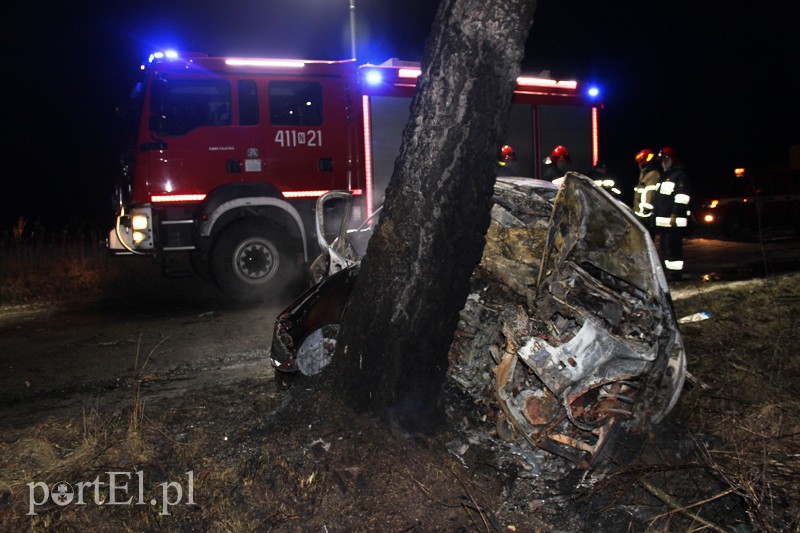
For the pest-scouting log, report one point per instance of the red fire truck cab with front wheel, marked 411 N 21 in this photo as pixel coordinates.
(228, 157)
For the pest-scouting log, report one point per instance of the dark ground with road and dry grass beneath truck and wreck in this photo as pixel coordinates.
(172, 380)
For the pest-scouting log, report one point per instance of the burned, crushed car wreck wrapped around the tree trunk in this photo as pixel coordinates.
(569, 330)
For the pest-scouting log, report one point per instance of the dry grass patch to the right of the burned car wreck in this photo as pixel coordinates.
(746, 404)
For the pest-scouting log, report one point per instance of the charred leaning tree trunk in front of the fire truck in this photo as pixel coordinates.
(391, 358)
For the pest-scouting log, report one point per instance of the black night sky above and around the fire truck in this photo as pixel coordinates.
(721, 85)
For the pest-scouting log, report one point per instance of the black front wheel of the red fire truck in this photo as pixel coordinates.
(250, 261)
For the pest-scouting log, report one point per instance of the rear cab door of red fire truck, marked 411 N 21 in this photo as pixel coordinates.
(307, 141)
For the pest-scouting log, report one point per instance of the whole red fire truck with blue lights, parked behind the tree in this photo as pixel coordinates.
(228, 155)
